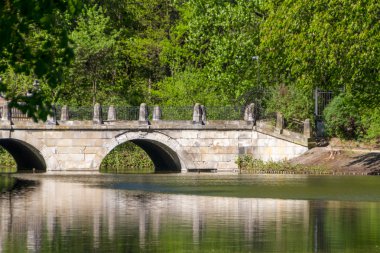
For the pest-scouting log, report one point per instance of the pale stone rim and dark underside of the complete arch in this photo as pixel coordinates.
(165, 152)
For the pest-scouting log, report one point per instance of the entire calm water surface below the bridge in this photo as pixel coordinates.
(189, 213)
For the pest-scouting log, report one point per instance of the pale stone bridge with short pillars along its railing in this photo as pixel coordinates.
(199, 144)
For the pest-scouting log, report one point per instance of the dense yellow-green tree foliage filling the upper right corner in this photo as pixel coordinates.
(326, 43)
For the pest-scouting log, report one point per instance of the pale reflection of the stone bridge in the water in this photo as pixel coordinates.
(51, 208)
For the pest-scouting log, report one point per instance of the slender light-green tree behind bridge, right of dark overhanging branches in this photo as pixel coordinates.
(94, 43)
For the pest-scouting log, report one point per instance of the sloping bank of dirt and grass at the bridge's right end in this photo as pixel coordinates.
(336, 157)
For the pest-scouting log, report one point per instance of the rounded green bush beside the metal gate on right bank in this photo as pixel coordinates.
(342, 117)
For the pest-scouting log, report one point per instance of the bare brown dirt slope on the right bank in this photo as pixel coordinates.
(343, 160)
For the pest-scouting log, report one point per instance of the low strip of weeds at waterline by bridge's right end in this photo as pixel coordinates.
(248, 164)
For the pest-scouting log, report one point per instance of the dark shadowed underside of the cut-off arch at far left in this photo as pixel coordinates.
(26, 156)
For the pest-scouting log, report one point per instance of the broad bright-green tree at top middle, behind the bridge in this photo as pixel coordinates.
(216, 41)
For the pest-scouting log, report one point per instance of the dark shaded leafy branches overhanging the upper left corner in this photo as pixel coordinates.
(34, 43)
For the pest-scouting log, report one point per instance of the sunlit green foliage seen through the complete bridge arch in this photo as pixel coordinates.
(127, 158)
